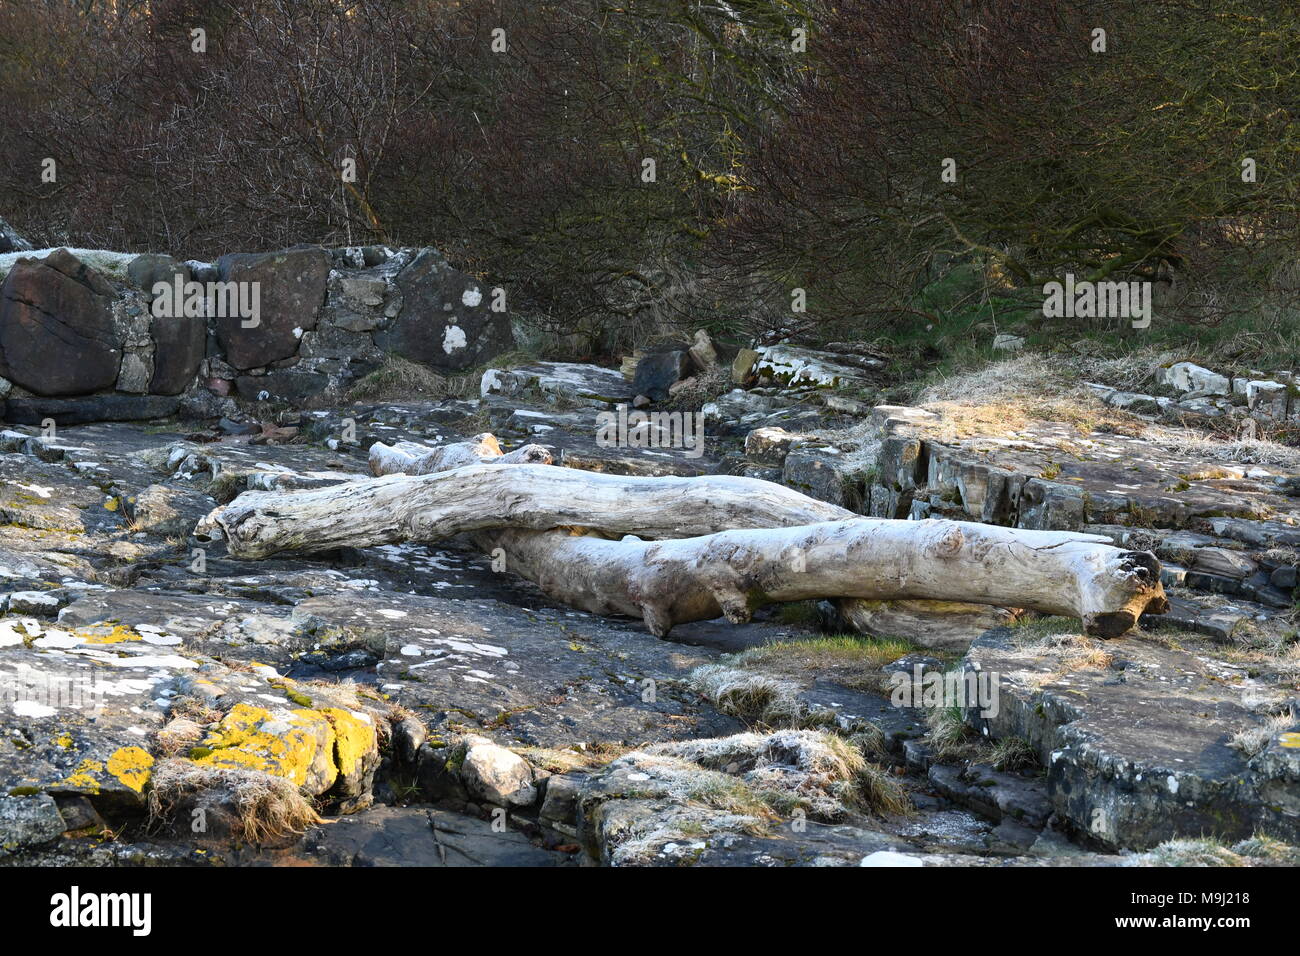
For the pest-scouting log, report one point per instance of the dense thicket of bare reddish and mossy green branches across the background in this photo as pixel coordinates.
(775, 167)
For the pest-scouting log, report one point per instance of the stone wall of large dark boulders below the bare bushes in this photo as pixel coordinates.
(80, 339)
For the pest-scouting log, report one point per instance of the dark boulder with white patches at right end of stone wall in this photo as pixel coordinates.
(447, 321)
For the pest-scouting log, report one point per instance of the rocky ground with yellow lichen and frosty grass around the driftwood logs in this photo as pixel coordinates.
(409, 704)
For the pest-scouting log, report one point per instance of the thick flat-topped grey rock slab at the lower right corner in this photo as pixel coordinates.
(1139, 751)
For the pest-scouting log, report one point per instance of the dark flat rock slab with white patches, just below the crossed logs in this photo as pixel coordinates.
(544, 678)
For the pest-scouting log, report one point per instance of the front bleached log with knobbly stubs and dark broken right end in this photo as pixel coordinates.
(734, 573)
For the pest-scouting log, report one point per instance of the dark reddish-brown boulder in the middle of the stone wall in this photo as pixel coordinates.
(292, 287)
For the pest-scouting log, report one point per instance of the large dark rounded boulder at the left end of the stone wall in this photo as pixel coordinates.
(57, 328)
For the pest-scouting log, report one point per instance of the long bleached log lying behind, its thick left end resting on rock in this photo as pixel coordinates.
(428, 508)
